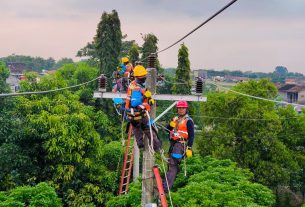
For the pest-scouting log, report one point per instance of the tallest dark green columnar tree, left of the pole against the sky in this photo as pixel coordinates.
(108, 42)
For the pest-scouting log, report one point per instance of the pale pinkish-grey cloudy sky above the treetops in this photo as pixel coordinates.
(251, 35)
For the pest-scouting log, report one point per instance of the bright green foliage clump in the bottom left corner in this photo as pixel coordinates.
(40, 195)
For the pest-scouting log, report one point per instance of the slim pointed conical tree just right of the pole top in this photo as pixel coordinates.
(183, 72)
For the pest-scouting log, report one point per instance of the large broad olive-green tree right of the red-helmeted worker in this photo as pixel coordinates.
(255, 134)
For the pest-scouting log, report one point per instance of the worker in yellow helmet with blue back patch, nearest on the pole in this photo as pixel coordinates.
(138, 103)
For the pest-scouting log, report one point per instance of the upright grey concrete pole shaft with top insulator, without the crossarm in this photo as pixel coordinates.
(148, 158)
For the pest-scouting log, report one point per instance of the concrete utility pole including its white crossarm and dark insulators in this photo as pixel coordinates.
(148, 158)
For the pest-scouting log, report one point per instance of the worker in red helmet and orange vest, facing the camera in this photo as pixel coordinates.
(181, 133)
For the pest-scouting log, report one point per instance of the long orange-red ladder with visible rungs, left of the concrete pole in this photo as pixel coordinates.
(127, 164)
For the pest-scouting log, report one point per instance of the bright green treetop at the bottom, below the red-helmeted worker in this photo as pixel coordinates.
(213, 182)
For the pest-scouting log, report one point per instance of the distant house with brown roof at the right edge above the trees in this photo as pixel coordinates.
(293, 93)
